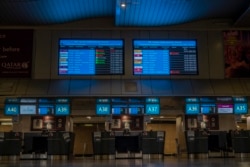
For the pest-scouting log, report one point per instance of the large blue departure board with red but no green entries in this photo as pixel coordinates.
(165, 57)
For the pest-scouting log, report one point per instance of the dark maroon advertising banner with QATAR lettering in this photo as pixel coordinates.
(16, 53)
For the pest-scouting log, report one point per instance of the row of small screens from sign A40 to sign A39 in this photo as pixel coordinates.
(37, 109)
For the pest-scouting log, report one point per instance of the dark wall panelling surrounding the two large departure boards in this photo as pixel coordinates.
(210, 53)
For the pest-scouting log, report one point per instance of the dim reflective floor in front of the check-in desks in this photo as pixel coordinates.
(166, 161)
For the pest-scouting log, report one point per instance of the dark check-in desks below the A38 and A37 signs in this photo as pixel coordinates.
(132, 144)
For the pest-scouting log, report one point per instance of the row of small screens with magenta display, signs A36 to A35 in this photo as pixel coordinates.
(212, 108)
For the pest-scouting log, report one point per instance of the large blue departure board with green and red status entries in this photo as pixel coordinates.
(91, 57)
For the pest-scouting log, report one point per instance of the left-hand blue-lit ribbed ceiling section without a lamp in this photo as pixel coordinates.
(39, 12)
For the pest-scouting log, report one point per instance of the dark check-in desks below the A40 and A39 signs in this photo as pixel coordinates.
(36, 145)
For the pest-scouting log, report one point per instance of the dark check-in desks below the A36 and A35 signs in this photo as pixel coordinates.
(217, 143)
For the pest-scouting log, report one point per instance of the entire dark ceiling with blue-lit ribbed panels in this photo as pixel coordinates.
(146, 13)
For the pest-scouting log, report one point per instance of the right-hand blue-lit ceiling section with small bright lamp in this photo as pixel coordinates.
(169, 12)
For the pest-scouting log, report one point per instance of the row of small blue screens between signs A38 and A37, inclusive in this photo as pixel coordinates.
(147, 109)
